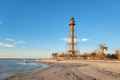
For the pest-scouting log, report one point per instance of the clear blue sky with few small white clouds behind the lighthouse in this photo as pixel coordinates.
(36, 28)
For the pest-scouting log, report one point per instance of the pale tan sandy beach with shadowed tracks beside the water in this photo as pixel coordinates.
(75, 70)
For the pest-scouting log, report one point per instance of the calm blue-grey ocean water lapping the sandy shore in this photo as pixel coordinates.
(9, 67)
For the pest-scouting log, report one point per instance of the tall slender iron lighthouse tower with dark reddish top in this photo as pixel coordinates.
(72, 41)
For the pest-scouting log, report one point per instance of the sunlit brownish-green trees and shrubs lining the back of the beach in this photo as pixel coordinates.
(99, 54)
